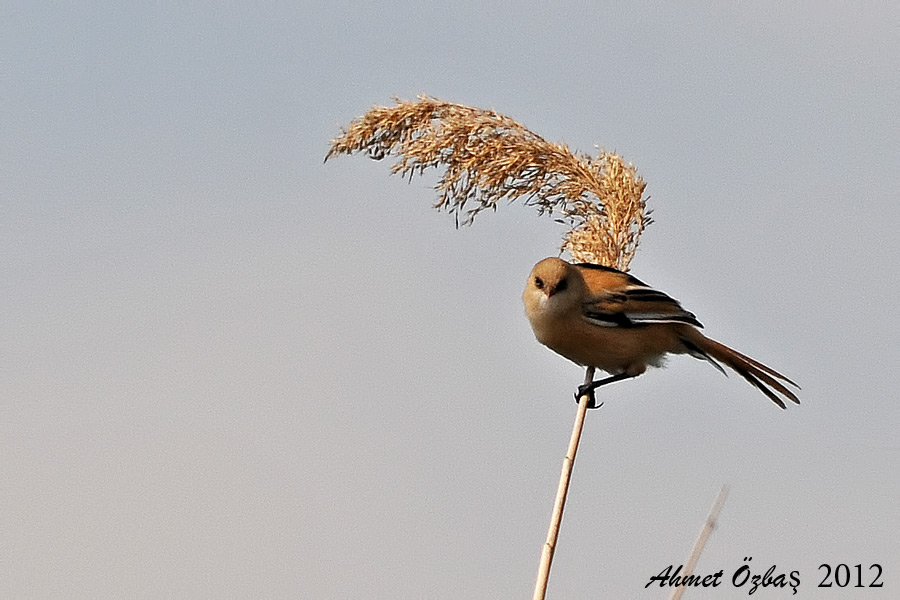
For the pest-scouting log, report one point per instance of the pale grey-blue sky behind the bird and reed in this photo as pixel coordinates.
(230, 371)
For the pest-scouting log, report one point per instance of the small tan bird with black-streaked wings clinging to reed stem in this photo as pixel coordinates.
(604, 318)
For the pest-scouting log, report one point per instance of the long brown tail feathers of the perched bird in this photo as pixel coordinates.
(759, 375)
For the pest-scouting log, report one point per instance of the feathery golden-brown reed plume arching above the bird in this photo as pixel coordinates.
(489, 157)
